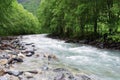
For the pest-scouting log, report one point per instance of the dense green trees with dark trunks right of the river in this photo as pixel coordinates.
(86, 19)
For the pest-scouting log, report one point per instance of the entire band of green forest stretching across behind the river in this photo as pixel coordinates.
(80, 20)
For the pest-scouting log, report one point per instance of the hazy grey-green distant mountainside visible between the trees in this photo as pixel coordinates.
(30, 5)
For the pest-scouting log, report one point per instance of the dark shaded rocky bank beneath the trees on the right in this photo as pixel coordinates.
(96, 43)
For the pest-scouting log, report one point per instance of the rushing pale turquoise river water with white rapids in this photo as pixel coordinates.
(101, 63)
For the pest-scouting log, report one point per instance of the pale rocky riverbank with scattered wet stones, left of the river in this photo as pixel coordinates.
(14, 53)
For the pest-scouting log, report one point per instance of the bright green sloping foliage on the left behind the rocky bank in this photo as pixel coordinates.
(14, 19)
